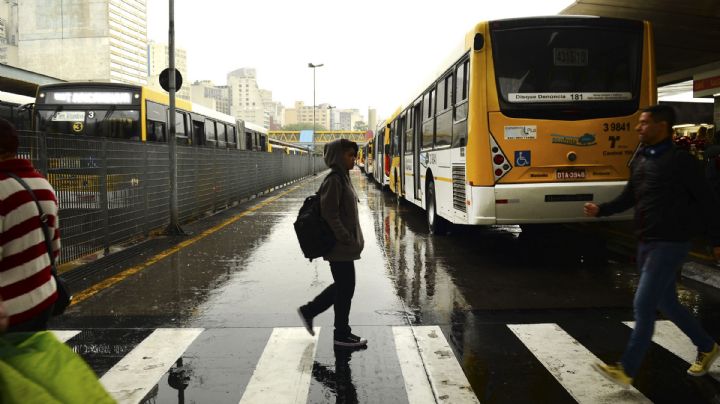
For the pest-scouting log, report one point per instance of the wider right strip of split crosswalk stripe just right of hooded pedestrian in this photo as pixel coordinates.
(447, 379)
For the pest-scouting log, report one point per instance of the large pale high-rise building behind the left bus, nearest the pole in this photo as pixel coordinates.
(96, 40)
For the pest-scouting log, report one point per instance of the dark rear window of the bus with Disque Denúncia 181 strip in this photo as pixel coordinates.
(559, 71)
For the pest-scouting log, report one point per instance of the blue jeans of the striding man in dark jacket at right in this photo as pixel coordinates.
(659, 262)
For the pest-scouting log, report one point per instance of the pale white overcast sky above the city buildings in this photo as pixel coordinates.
(376, 53)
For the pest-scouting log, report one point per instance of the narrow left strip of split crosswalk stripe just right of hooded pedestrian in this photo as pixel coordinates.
(417, 384)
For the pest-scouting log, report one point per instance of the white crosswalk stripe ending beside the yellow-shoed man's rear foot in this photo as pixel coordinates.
(571, 365)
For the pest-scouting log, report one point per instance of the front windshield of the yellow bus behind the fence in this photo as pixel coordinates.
(101, 121)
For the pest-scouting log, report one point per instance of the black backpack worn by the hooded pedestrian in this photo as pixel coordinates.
(314, 234)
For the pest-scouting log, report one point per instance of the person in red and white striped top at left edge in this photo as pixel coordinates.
(27, 287)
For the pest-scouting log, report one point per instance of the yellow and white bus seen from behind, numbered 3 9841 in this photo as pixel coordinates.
(529, 119)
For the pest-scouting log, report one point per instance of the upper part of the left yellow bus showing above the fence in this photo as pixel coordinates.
(130, 112)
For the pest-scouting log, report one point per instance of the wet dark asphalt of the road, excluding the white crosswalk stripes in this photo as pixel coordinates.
(249, 277)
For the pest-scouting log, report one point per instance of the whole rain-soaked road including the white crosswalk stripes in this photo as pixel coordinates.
(524, 316)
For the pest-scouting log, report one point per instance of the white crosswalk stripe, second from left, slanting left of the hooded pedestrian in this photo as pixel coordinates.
(131, 379)
